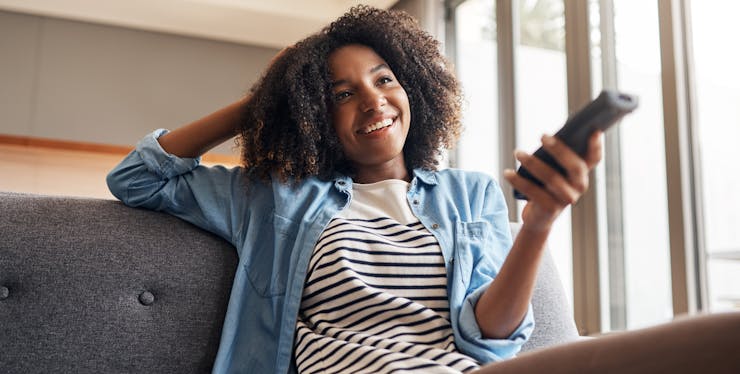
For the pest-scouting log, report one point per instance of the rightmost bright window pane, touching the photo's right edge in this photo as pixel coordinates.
(718, 124)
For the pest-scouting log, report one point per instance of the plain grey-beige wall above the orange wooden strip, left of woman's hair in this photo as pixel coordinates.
(85, 82)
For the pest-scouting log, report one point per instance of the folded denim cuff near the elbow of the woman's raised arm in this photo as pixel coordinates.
(158, 161)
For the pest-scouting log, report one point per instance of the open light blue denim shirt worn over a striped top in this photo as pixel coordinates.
(275, 226)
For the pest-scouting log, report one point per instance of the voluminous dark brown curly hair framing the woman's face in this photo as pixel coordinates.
(287, 132)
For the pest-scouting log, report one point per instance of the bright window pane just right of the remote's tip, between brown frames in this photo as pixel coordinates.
(642, 167)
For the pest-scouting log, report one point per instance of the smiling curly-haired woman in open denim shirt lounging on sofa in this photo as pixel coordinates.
(356, 254)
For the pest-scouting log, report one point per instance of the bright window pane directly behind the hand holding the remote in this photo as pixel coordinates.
(541, 101)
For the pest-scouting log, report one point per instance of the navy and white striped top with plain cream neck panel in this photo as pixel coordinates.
(375, 298)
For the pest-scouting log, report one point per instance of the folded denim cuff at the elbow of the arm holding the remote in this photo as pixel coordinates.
(499, 348)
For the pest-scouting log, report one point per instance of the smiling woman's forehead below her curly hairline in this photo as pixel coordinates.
(354, 58)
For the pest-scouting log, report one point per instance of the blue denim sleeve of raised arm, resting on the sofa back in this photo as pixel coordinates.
(151, 178)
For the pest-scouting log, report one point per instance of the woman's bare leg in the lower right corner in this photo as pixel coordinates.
(699, 344)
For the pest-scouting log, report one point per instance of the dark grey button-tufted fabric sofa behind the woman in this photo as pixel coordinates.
(93, 286)
